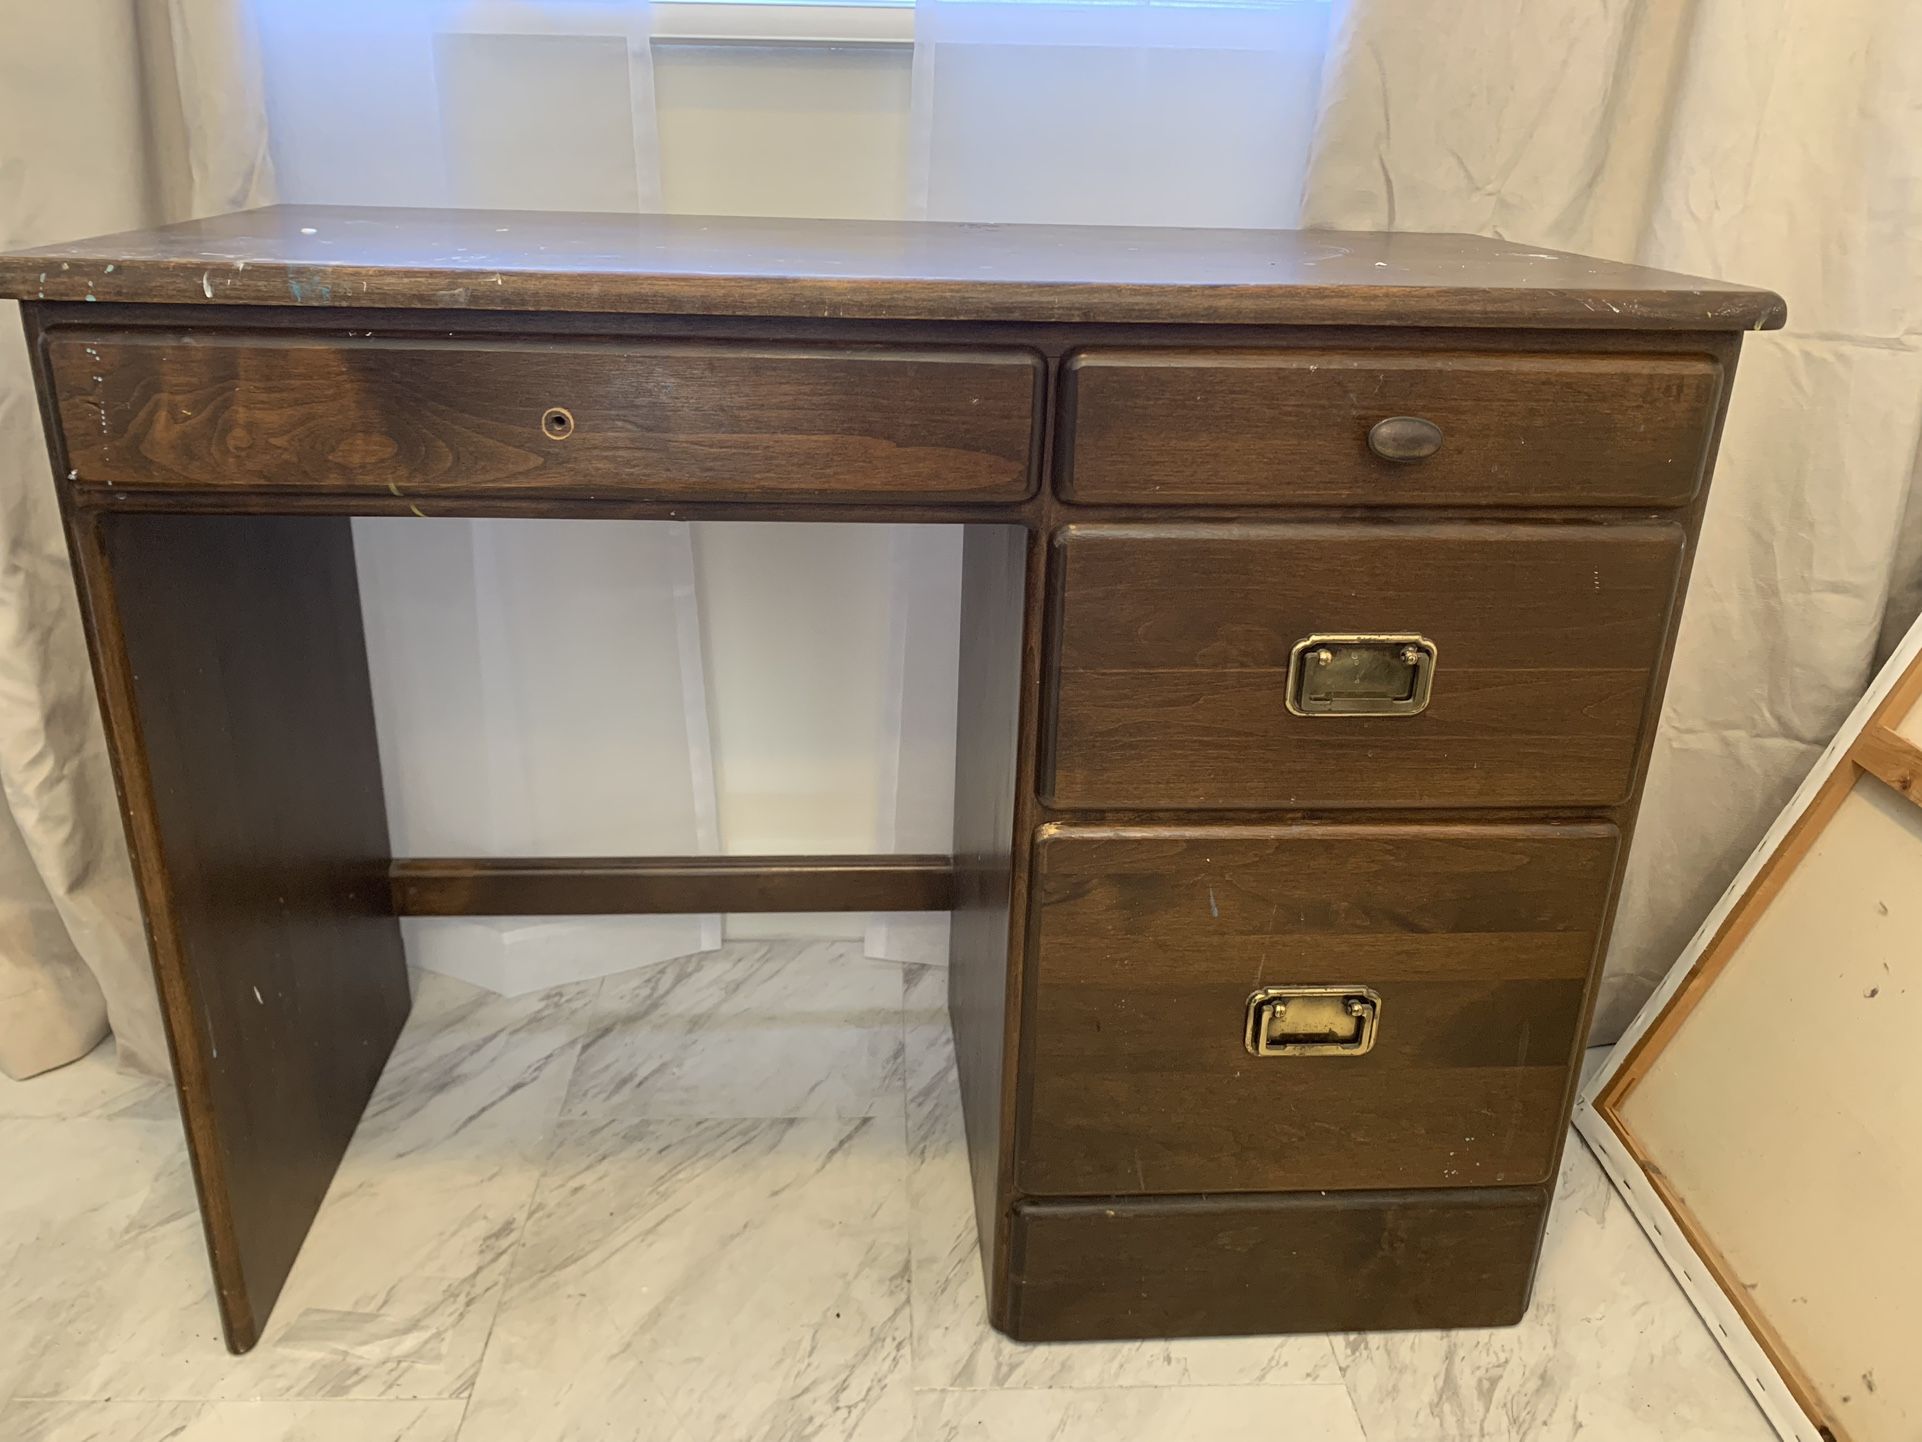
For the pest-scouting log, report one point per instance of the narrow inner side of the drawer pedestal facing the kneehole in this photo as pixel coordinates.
(995, 803)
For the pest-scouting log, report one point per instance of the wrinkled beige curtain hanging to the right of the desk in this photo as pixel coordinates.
(1763, 141)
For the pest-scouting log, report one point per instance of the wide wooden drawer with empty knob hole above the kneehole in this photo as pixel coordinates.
(566, 418)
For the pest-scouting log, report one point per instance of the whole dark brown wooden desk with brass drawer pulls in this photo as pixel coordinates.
(1318, 601)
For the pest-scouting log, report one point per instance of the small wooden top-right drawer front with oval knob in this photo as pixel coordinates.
(1293, 428)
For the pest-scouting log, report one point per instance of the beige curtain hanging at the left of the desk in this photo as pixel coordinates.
(170, 128)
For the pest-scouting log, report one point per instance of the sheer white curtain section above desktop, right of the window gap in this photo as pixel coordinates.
(1118, 112)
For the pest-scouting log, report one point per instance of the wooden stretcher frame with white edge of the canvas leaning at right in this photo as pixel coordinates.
(1867, 745)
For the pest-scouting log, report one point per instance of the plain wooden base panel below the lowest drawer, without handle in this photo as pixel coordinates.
(1273, 1264)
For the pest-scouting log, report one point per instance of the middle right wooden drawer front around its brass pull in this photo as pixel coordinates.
(1175, 649)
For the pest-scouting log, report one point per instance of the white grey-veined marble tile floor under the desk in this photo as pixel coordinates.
(718, 1201)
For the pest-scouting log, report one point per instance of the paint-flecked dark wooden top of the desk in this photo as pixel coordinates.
(870, 270)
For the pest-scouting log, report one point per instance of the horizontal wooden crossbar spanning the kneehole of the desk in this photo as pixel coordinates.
(668, 885)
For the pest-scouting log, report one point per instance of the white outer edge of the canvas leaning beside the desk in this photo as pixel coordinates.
(1658, 1222)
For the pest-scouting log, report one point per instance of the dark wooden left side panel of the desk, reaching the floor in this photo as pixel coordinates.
(234, 680)
